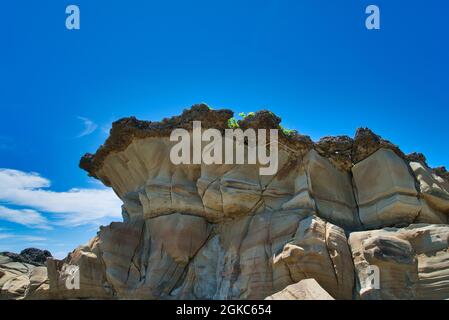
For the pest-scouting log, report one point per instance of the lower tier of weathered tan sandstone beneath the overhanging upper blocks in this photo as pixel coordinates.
(181, 256)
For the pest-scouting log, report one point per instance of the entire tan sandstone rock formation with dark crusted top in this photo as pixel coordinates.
(202, 231)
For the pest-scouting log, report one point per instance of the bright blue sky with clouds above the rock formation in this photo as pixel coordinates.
(311, 62)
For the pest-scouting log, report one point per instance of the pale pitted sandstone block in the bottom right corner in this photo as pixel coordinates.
(413, 262)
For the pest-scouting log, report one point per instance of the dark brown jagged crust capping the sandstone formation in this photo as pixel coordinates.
(342, 151)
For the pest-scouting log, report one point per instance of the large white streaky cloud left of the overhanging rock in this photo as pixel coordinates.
(70, 208)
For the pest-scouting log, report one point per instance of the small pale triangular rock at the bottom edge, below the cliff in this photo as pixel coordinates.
(307, 289)
